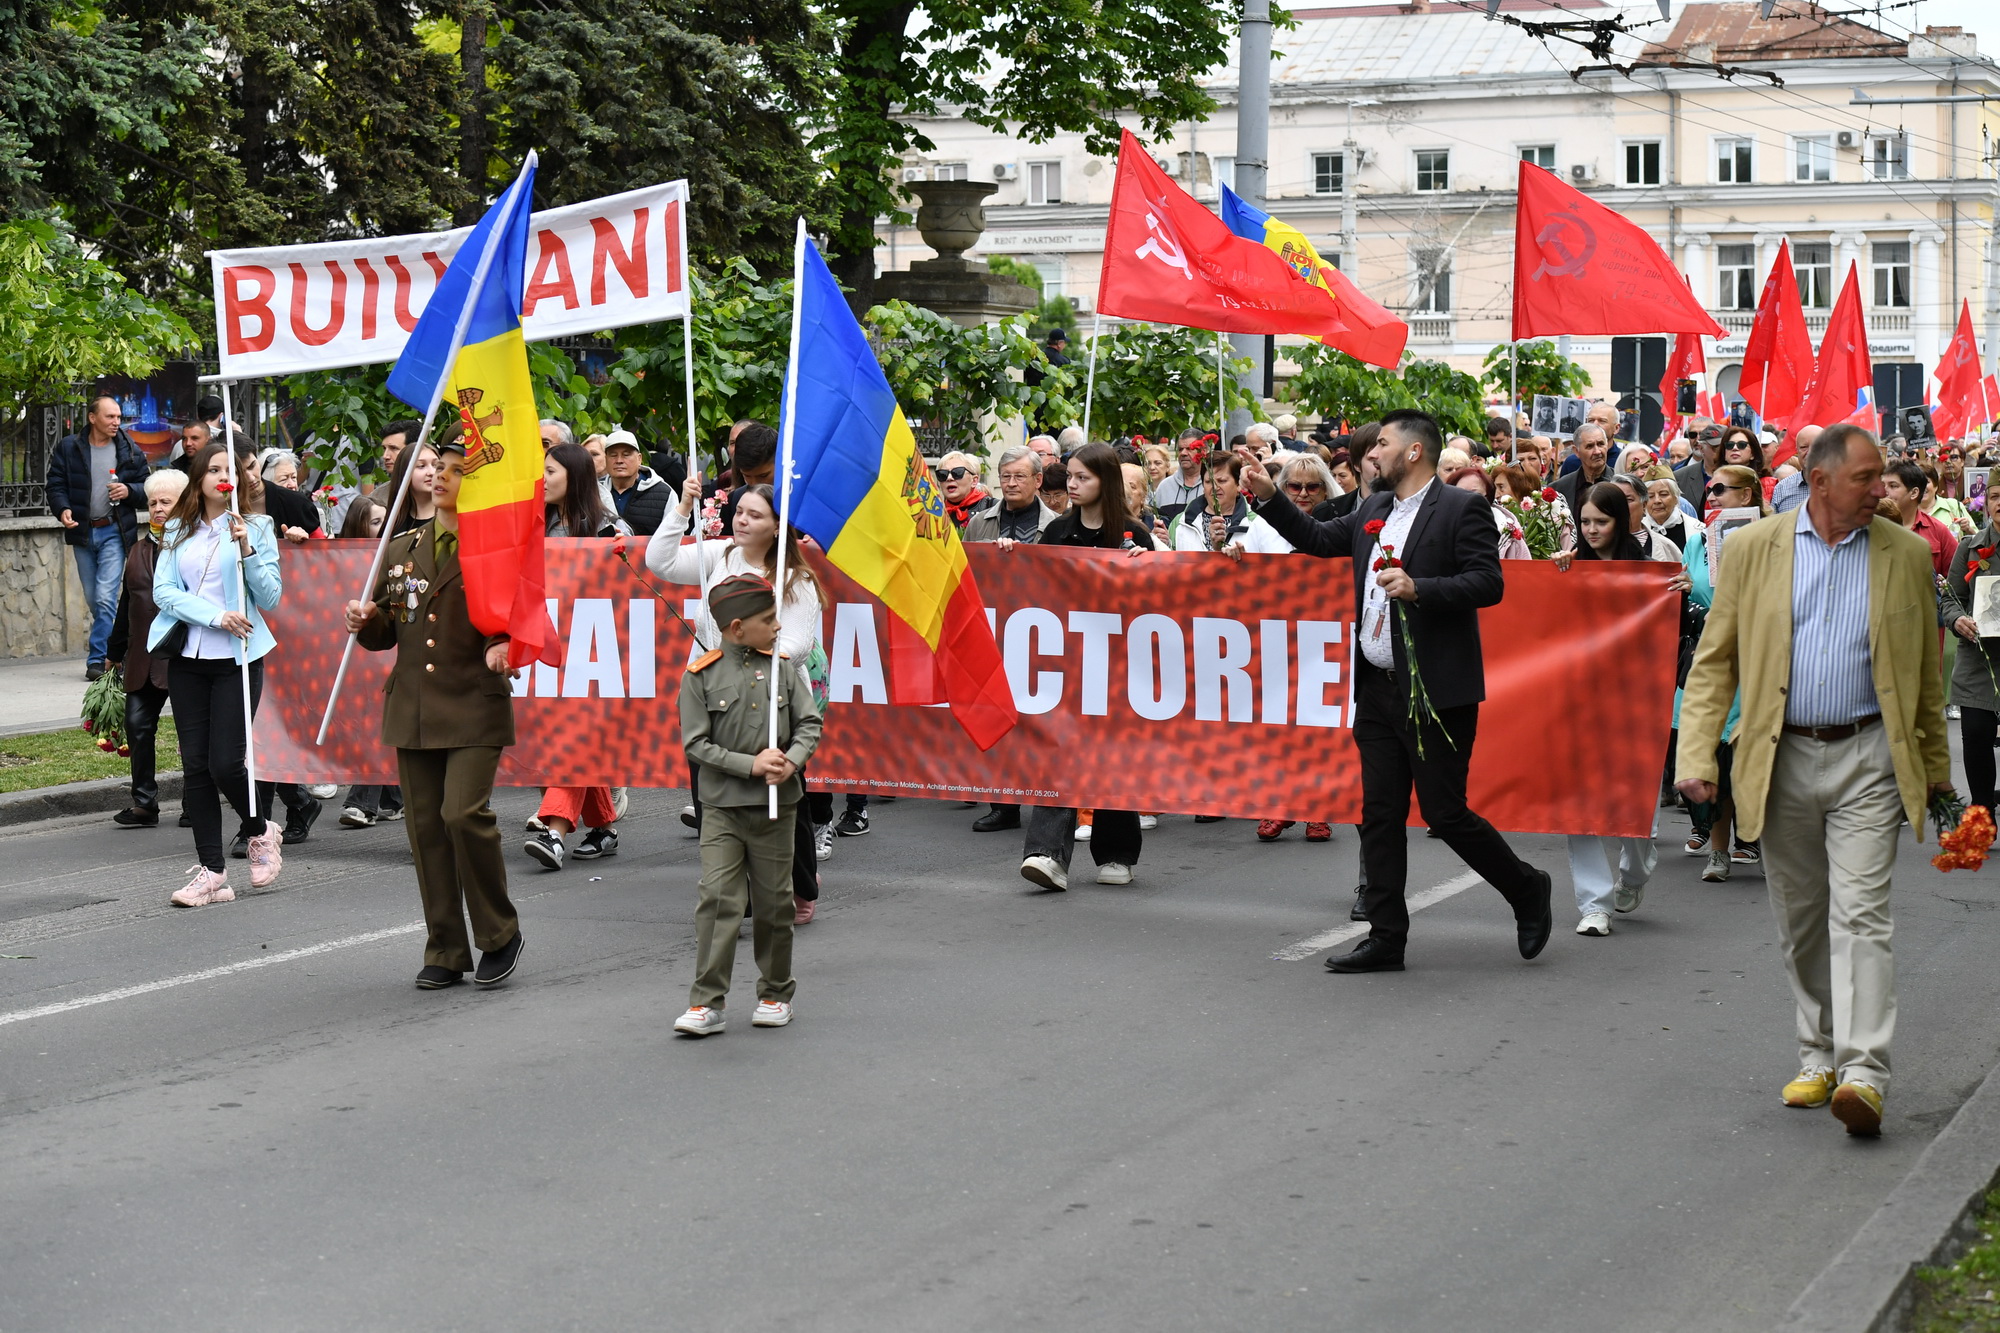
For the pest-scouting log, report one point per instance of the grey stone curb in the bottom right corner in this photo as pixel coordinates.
(1927, 1220)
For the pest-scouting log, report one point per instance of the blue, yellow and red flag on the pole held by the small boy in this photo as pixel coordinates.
(863, 491)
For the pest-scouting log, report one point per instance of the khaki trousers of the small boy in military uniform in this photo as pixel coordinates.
(747, 860)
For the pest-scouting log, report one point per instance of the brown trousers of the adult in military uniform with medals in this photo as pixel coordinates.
(447, 800)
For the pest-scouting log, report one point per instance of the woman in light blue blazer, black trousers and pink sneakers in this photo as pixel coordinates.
(205, 629)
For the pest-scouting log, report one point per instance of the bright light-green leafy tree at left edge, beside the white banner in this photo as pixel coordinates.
(67, 317)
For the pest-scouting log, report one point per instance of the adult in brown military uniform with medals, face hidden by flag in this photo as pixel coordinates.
(449, 712)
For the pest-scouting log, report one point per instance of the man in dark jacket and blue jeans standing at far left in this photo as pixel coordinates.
(95, 481)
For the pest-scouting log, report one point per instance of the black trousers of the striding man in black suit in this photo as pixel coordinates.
(1391, 768)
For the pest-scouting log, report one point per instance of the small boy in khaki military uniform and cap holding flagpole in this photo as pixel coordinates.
(725, 722)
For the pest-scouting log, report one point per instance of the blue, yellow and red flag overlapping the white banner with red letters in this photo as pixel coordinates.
(469, 347)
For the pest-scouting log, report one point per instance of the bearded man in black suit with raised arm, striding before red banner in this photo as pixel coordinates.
(1447, 569)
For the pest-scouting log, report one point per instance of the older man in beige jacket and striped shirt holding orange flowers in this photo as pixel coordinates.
(1829, 625)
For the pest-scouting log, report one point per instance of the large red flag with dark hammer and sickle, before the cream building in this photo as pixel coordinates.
(1579, 267)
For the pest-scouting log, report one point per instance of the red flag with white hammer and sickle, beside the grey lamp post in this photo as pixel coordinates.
(1171, 261)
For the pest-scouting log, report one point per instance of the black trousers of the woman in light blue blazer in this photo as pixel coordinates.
(209, 716)
